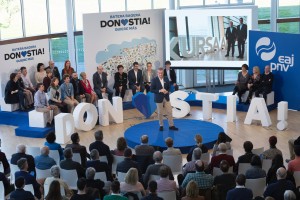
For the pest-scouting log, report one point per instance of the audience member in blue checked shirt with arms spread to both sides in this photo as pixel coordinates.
(204, 181)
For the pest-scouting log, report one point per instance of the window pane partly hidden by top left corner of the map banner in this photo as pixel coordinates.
(84, 7)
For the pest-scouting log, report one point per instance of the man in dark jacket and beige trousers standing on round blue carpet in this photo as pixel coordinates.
(160, 86)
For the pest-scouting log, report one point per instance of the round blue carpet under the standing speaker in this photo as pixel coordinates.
(183, 139)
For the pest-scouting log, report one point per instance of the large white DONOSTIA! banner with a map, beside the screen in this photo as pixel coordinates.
(115, 38)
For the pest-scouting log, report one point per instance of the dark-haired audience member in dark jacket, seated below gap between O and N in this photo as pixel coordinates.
(102, 148)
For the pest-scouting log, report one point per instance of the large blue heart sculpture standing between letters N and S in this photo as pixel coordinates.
(144, 103)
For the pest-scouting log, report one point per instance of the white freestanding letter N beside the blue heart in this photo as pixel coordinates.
(110, 112)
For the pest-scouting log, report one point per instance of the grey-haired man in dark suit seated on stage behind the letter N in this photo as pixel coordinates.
(100, 84)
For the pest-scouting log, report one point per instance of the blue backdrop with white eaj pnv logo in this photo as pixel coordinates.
(282, 52)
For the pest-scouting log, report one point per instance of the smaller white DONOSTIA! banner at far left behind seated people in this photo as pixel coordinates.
(28, 54)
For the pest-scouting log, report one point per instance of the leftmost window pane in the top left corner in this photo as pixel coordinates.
(10, 20)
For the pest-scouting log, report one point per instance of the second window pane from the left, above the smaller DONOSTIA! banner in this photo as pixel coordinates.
(35, 14)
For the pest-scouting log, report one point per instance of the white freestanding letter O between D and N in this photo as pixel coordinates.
(91, 118)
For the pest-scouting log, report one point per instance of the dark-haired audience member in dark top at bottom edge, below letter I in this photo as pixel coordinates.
(240, 192)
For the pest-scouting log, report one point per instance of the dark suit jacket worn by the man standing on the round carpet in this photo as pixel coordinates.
(156, 86)
